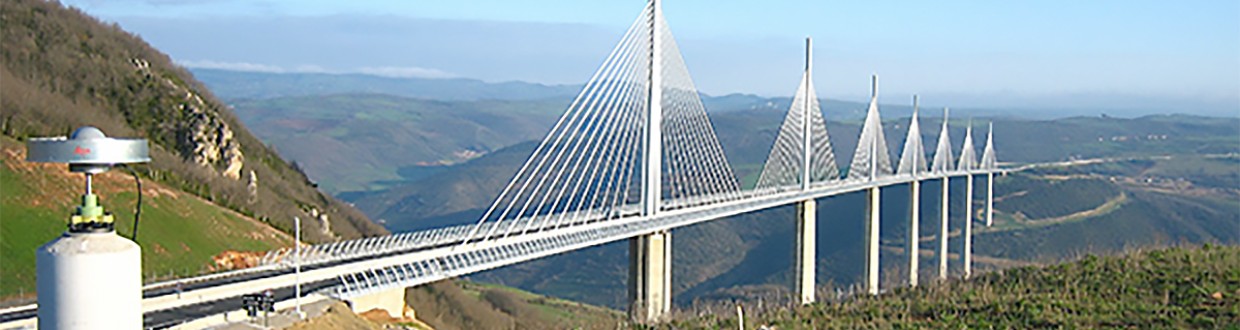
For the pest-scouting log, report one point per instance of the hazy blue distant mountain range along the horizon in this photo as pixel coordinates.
(245, 85)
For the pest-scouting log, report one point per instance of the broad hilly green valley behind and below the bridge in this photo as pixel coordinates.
(1042, 216)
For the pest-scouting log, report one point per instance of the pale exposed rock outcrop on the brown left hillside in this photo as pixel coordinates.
(203, 138)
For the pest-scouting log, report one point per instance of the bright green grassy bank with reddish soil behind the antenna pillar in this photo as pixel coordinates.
(179, 233)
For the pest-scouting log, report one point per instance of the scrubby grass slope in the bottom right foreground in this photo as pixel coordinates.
(1177, 288)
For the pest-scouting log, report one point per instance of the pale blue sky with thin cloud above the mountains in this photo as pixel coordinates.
(1169, 56)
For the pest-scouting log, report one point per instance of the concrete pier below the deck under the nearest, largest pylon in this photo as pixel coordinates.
(650, 277)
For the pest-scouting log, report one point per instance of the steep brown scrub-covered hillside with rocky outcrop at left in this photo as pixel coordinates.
(61, 69)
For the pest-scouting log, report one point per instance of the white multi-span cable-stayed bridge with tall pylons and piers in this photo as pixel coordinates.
(633, 158)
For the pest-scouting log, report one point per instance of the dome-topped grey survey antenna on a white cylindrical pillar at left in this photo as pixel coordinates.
(90, 277)
